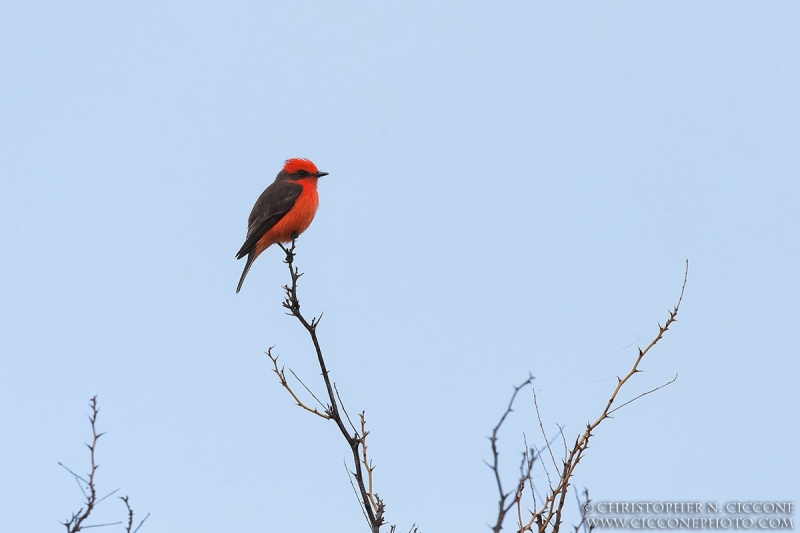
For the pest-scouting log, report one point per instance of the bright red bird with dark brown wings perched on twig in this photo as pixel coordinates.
(285, 209)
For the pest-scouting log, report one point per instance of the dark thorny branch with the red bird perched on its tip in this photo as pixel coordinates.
(372, 505)
